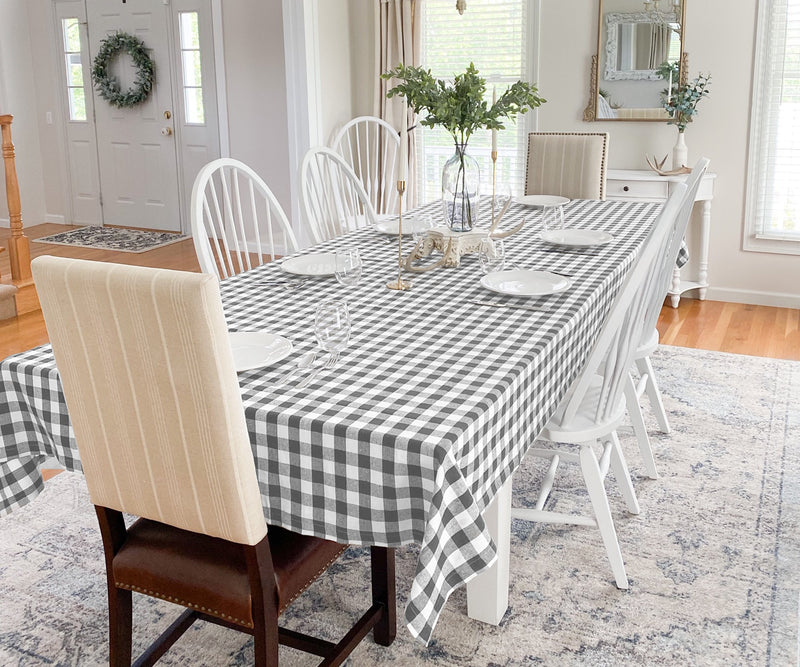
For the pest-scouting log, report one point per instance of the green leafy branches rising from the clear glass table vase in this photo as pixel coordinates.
(460, 107)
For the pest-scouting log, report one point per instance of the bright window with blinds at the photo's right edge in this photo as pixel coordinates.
(773, 190)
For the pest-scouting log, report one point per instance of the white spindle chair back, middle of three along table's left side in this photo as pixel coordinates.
(334, 201)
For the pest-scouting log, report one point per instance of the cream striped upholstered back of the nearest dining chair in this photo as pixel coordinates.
(148, 376)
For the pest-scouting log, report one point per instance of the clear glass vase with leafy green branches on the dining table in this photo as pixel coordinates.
(461, 108)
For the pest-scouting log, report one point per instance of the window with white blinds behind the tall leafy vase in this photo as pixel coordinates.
(493, 34)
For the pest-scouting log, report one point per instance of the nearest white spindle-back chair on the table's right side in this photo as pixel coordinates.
(594, 407)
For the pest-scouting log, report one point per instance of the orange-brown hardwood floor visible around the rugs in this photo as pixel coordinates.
(706, 325)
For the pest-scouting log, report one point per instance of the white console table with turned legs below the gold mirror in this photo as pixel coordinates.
(645, 185)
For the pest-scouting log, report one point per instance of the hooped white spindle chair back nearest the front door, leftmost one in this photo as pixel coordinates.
(237, 223)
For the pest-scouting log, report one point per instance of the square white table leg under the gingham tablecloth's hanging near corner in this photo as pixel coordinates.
(487, 593)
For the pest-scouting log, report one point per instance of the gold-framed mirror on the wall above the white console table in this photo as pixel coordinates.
(634, 39)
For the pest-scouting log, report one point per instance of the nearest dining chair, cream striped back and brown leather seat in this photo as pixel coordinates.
(148, 376)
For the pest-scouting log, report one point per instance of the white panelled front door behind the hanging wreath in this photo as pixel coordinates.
(136, 146)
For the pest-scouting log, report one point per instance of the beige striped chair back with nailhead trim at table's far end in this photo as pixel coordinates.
(569, 164)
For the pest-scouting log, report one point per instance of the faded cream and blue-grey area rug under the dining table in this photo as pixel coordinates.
(713, 558)
